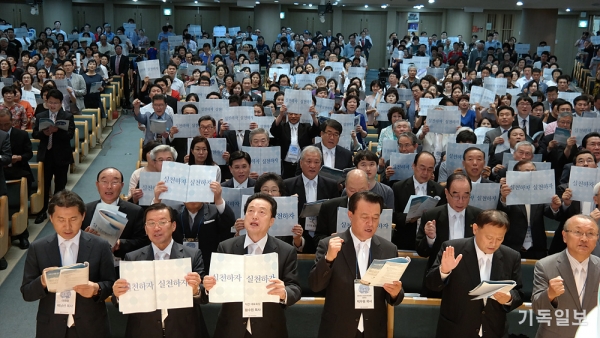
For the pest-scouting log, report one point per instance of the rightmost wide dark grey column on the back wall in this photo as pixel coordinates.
(538, 25)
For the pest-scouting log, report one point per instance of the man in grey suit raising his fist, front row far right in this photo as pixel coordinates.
(567, 281)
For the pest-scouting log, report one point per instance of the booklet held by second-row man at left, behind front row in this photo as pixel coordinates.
(109, 223)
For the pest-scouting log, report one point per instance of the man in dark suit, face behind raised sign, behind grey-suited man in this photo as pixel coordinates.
(527, 233)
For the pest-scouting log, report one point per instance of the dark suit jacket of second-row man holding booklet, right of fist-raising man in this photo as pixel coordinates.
(406, 233)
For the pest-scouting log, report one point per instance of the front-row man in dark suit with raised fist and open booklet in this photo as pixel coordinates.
(343, 259)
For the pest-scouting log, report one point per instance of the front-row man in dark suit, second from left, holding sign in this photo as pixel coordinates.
(184, 322)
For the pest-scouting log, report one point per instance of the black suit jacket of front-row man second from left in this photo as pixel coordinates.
(185, 322)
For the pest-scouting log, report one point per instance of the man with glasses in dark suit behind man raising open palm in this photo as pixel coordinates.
(447, 222)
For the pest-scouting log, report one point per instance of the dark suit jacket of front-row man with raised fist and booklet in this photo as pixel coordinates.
(340, 318)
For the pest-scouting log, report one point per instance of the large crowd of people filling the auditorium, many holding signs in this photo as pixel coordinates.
(464, 244)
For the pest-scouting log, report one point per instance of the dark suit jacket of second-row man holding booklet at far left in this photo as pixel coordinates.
(133, 236)
